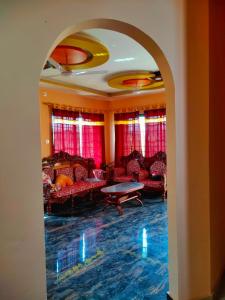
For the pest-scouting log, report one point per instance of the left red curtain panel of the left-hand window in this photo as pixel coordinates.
(65, 131)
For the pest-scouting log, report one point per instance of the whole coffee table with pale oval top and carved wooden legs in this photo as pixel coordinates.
(122, 192)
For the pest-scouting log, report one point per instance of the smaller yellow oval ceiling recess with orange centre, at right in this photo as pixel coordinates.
(142, 80)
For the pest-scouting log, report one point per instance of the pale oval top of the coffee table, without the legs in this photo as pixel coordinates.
(122, 188)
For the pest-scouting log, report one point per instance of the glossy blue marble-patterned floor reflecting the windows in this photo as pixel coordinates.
(100, 255)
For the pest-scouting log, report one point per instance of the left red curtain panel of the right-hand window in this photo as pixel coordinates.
(127, 134)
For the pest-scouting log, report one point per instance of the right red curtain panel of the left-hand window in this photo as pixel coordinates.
(93, 139)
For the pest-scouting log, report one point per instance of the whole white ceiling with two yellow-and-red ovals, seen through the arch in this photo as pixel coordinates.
(102, 63)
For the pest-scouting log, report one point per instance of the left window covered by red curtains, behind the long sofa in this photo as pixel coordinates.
(79, 134)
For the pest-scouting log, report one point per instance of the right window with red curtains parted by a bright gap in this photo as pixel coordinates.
(145, 132)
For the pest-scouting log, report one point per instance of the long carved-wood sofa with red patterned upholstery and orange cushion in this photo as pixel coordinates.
(77, 170)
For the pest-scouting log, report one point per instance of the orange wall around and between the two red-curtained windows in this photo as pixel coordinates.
(68, 98)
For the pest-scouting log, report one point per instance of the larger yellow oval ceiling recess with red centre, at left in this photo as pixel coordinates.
(80, 52)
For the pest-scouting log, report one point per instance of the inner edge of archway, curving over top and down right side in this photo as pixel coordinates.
(159, 57)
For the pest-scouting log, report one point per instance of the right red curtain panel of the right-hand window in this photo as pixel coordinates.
(155, 131)
